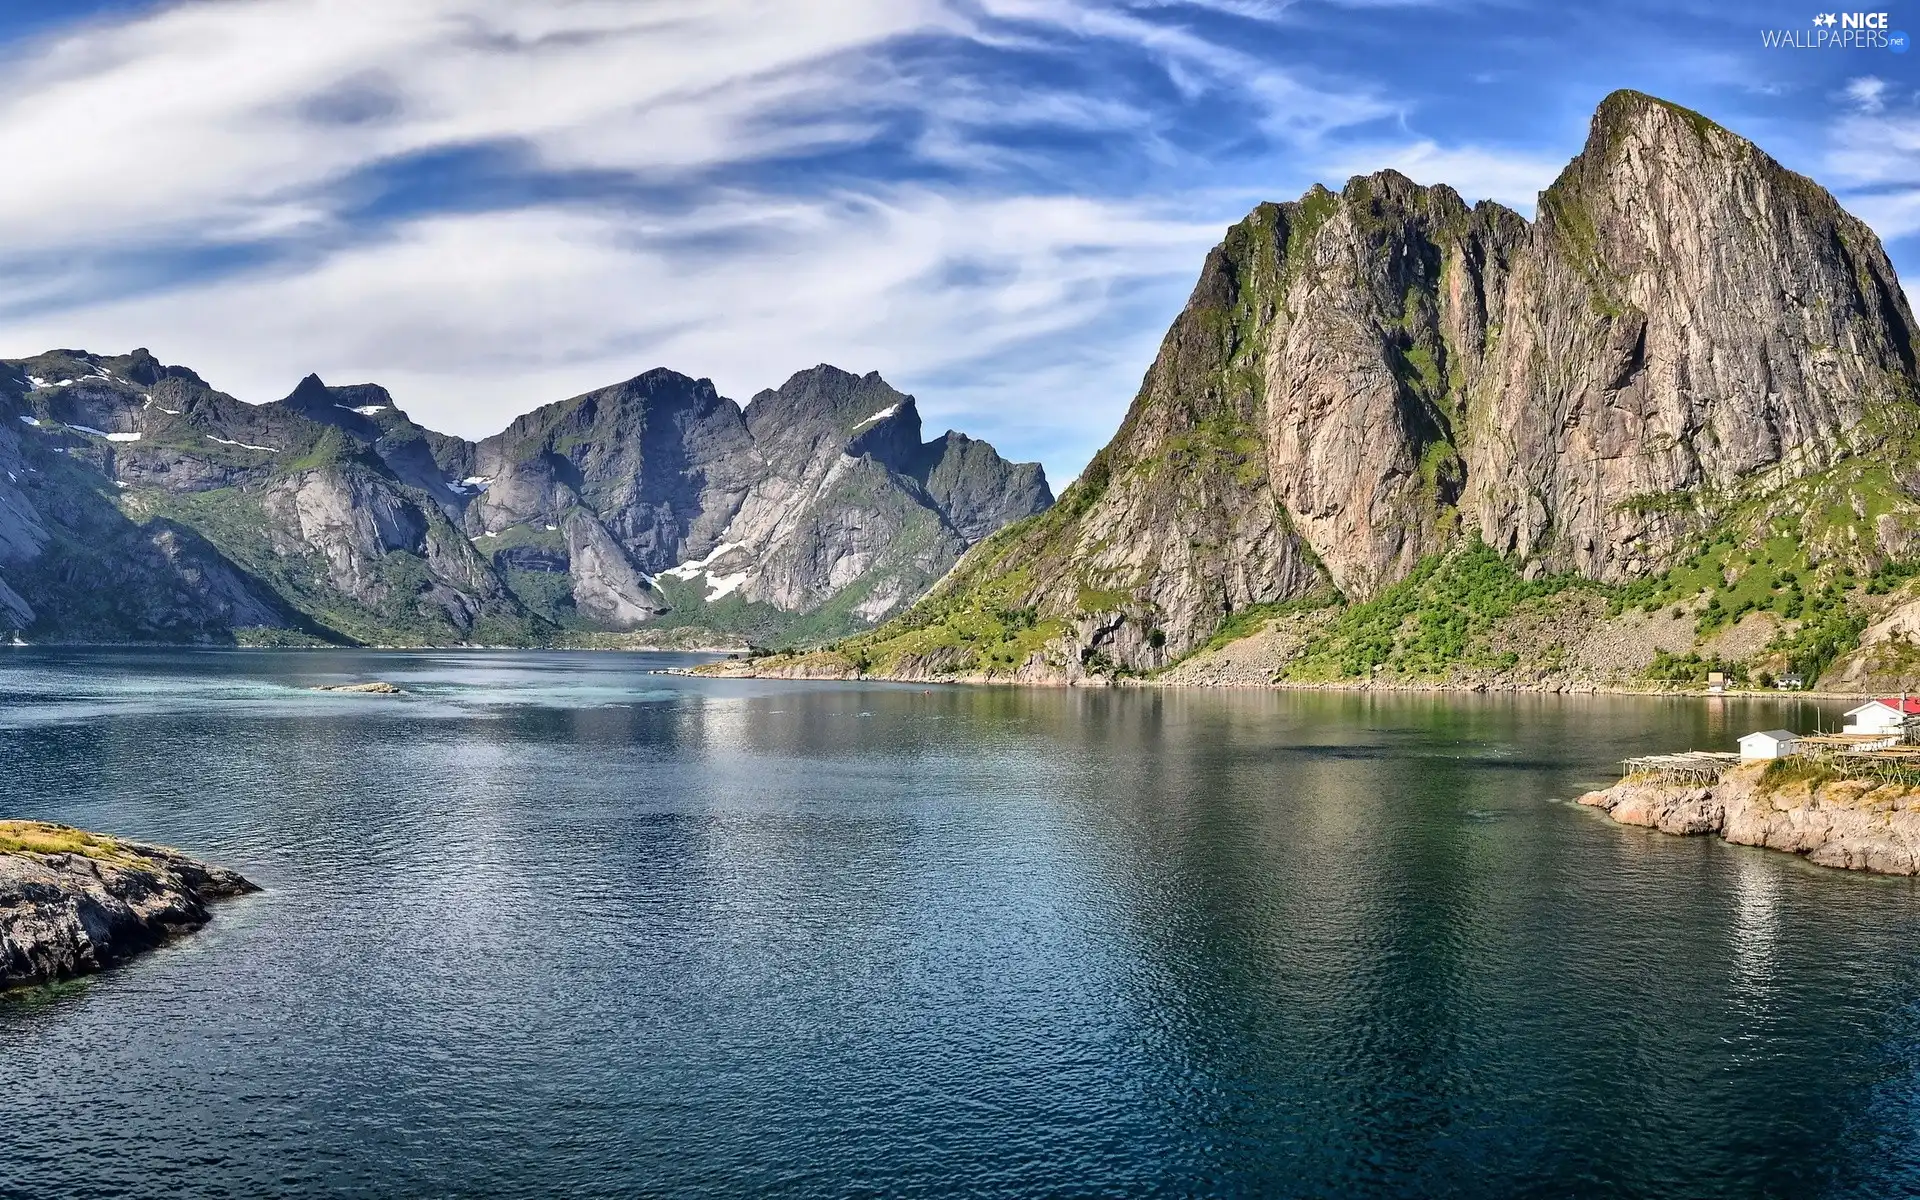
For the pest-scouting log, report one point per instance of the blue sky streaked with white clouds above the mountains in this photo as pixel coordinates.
(997, 204)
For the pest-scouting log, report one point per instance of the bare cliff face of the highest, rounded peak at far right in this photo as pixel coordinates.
(1692, 320)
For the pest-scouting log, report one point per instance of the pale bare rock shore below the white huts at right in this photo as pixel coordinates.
(1785, 805)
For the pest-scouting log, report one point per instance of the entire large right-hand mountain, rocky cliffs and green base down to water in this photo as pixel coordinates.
(1666, 427)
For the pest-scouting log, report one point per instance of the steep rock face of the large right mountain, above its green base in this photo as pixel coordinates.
(1687, 337)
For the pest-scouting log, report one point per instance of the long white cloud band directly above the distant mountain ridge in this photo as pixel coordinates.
(473, 320)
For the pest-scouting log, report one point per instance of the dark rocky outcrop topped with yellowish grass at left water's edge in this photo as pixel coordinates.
(74, 903)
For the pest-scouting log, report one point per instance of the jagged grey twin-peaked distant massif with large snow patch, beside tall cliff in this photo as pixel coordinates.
(815, 491)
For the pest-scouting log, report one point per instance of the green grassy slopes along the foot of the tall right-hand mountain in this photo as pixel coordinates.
(1817, 571)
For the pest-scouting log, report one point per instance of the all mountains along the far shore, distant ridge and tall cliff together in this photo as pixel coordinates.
(1668, 427)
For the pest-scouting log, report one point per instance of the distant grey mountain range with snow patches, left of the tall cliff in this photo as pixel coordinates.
(141, 504)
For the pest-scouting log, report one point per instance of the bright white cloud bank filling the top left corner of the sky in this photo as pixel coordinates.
(208, 116)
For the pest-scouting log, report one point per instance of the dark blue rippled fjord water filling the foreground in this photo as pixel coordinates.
(554, 924)
